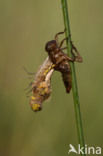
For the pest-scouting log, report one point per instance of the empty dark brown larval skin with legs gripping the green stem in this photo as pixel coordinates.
(61, 60)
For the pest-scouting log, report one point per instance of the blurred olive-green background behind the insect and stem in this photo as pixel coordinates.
(25, 27)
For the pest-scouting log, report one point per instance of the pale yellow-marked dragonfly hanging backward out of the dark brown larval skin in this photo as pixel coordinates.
(41, 86)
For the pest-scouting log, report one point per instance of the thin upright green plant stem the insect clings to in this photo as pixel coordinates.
(73, 73)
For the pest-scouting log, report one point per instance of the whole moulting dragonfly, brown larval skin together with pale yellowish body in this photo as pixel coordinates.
(56, 60)
